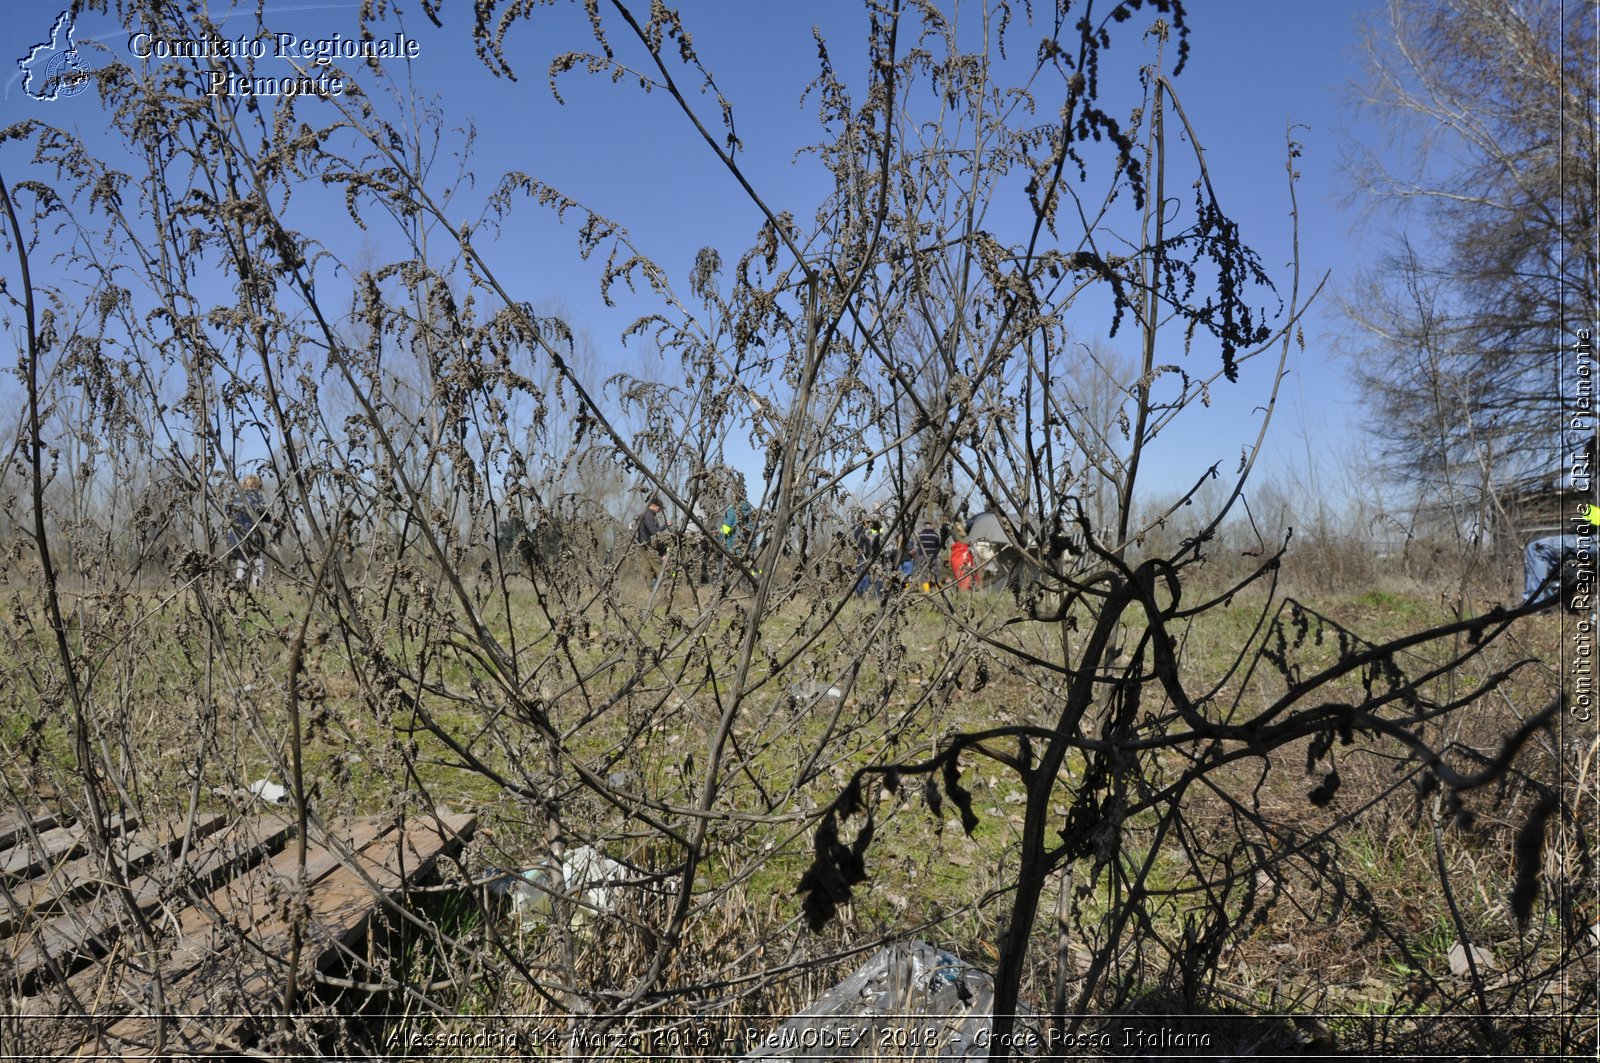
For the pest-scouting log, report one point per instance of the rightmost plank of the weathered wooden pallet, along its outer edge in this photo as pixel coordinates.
(234, 984)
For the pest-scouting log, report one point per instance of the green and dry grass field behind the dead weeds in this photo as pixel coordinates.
(598, 723)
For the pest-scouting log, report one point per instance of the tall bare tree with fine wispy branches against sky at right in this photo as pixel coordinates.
(1494, 145)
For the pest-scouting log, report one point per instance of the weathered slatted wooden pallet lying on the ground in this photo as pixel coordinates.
(204, 933)
